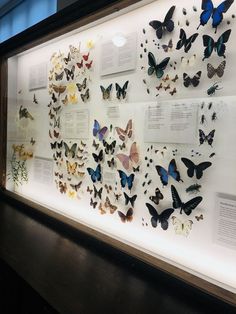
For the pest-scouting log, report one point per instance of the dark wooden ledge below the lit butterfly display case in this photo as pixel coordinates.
(77, 274)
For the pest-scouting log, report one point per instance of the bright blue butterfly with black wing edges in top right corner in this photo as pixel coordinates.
(215, 13)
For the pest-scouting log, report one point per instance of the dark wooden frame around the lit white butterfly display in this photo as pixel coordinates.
(73, 17)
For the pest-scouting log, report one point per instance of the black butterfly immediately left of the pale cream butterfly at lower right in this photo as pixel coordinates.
(162, 218)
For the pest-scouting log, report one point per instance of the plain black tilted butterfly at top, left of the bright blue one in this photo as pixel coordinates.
(166, 25)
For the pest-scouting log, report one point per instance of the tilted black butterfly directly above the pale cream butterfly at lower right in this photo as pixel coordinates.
(186, 207)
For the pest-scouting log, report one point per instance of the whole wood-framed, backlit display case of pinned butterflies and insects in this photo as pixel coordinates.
(124, 127)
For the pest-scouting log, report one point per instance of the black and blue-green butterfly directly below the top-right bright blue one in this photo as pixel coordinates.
(218, 46)
